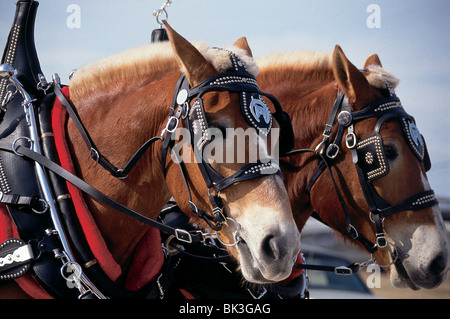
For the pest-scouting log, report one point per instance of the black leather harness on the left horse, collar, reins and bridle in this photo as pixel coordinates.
(49, 241)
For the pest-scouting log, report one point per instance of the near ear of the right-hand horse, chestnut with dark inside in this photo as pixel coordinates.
(351, 81)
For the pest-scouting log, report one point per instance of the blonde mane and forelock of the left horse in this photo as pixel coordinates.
(150, 62)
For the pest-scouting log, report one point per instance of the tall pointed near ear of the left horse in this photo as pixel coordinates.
(194, 65)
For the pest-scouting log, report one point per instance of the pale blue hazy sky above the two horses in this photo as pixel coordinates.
(410, 36)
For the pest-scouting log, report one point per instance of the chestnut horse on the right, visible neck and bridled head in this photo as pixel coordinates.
(387, 199)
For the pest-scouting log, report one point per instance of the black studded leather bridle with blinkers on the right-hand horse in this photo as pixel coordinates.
(369, 157)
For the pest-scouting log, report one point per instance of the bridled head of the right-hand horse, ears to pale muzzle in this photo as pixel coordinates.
(390, 181)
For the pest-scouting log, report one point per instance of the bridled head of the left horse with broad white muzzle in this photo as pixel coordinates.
(250, 208)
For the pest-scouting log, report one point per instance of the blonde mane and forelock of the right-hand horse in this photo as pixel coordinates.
(301, 65)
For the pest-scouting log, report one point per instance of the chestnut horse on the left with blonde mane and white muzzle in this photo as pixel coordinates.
(124, 100)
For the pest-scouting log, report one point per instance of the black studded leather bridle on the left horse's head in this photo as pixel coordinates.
(188, 105)
